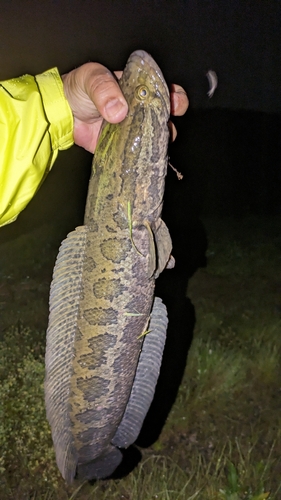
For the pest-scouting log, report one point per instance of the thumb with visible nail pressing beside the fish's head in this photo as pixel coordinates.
(104, 91)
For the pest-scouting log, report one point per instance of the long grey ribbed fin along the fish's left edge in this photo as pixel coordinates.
(62, 328)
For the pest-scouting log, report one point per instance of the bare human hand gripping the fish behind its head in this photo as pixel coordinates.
(93, 94)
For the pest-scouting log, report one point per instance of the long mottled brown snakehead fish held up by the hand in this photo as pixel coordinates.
(106, 331)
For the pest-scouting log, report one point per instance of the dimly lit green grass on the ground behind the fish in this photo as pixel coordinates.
(222, 439)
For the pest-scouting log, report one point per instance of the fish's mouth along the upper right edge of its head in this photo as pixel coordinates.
(146, 63)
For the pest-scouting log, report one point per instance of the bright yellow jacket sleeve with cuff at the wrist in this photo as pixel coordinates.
(35, 122)
